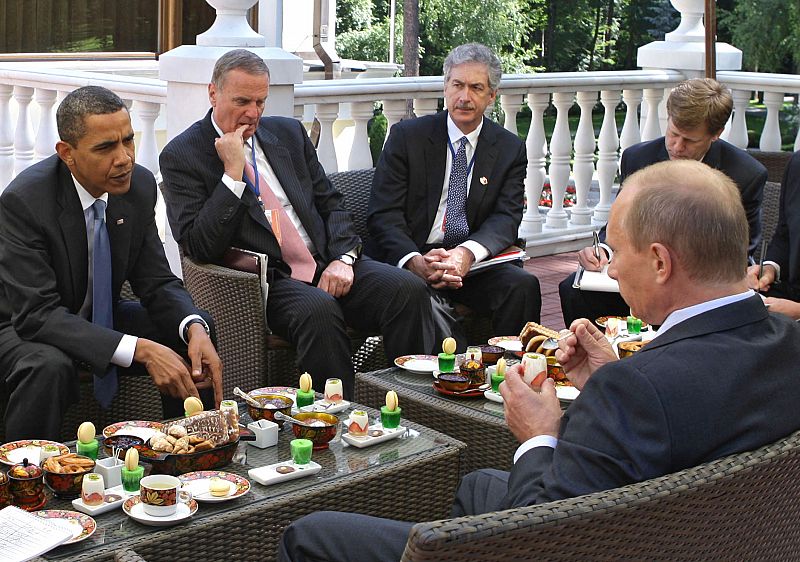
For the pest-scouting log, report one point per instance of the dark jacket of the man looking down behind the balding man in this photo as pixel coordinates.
(746, 172)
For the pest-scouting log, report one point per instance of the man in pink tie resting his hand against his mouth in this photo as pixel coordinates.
(238, 179)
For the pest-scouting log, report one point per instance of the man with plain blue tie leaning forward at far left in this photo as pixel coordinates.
(73, 228)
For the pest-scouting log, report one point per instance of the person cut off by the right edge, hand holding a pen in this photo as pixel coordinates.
(780, 278)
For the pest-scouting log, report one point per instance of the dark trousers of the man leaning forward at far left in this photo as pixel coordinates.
(42, 382)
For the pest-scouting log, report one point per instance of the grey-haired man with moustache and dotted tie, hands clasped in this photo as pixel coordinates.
(448, 193)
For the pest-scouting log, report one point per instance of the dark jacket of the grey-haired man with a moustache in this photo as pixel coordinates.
(410, 176)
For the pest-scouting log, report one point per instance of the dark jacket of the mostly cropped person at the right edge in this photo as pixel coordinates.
(784, 248)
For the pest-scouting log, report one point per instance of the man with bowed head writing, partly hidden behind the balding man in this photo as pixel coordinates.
(697, 111)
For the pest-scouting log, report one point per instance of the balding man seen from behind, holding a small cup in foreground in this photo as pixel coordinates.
(695, 393)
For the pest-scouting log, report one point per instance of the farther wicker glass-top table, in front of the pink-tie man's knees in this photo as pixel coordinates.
(478, 422)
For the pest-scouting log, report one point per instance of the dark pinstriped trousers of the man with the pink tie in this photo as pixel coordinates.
(383, 299)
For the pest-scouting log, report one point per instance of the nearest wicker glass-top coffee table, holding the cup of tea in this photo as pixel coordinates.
(413, 477)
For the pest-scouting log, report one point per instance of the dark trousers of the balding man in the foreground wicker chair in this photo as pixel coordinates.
(328, 535)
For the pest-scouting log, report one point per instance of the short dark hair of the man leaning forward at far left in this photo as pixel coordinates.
(89, 100)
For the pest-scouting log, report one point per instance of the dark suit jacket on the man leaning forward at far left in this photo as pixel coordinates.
(44, 261)
